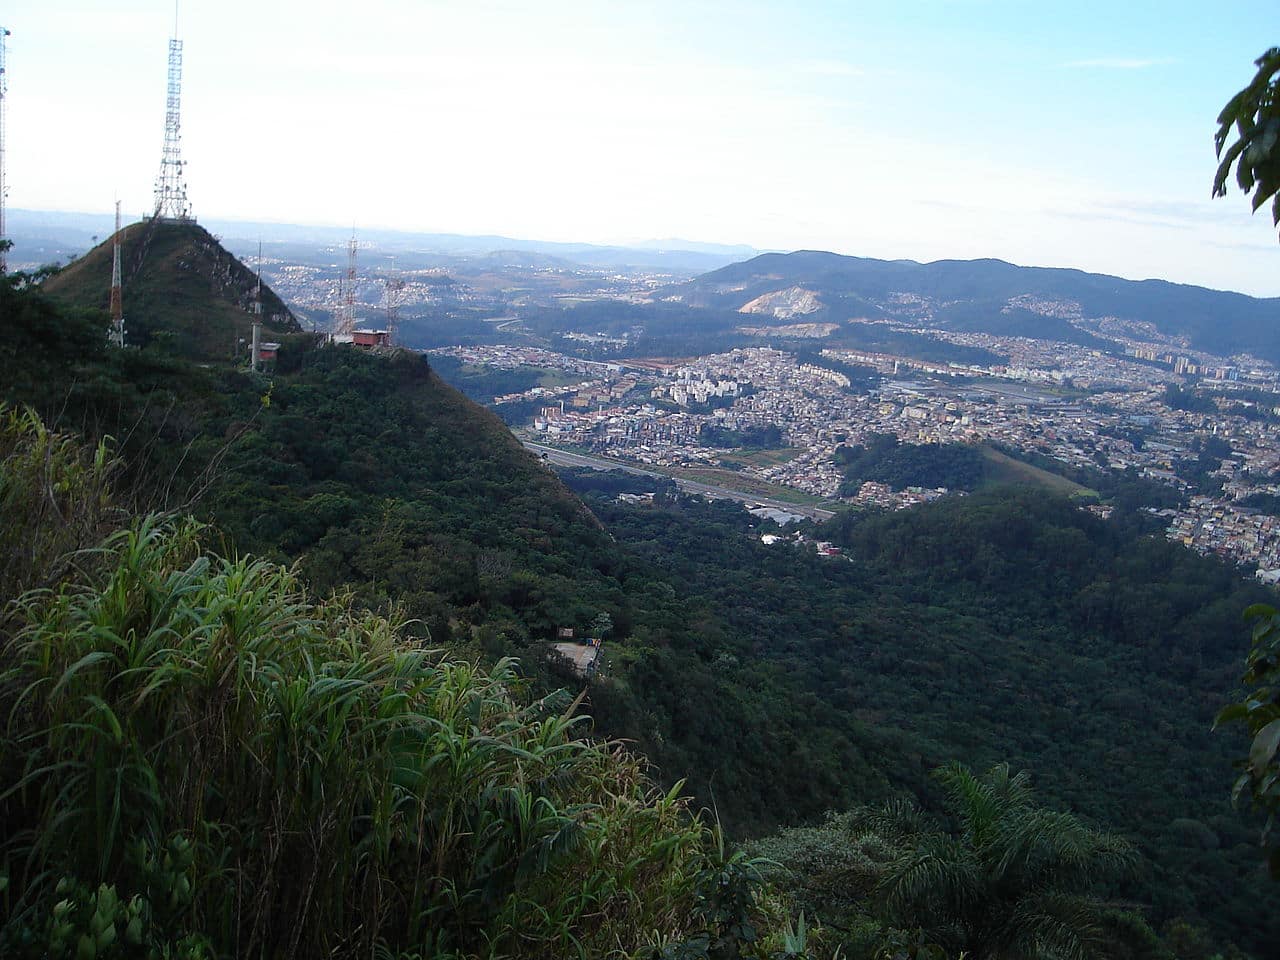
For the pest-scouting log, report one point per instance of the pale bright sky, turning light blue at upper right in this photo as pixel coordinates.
(1040, 132)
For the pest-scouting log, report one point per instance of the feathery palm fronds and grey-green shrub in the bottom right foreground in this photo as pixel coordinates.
(1003, 879)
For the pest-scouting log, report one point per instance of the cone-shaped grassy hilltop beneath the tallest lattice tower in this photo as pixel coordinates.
(181, 286)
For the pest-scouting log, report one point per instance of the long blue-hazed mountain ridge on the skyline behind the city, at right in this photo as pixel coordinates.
(996, 298)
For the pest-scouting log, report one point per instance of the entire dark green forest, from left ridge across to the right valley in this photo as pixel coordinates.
(1008, 627)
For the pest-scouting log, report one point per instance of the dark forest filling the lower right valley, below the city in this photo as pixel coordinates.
(1003, 627)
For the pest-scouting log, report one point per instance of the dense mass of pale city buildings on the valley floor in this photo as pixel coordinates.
(656, 415)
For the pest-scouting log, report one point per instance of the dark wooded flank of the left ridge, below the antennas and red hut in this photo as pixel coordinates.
(369, 470)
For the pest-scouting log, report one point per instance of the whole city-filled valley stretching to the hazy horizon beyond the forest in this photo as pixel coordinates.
(615, 362)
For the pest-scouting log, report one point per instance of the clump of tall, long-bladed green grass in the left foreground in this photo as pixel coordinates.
(339, 789)
